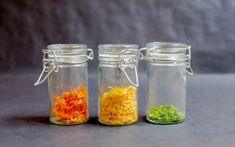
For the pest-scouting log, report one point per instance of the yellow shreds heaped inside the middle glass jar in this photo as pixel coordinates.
(118, 106)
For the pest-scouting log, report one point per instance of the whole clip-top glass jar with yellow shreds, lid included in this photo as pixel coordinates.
(118, 83)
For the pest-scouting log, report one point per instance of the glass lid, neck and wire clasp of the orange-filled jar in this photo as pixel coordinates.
(63, 55)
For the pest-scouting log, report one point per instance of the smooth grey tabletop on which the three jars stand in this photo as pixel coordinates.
(210, 118)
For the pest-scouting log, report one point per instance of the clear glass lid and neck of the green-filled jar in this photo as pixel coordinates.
(167, 52)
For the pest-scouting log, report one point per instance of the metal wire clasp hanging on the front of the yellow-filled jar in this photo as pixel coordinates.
(122, 67)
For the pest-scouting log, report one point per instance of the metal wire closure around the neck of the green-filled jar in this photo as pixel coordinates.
(187, 58)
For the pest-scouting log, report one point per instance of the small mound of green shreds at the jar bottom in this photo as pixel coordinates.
(165, 114)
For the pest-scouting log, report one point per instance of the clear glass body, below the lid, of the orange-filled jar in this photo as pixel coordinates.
(69, 95)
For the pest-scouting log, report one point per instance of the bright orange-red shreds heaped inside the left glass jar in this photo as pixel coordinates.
(70, 107)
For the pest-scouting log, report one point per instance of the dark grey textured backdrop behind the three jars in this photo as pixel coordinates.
(26, 26)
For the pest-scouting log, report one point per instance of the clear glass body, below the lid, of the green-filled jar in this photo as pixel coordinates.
(166, 93)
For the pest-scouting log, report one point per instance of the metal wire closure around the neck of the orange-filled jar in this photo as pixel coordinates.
(50, 64)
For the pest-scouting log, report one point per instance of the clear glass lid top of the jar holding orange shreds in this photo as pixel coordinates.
(58, 47)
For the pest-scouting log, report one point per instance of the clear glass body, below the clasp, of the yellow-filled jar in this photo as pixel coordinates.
(117, 97)
